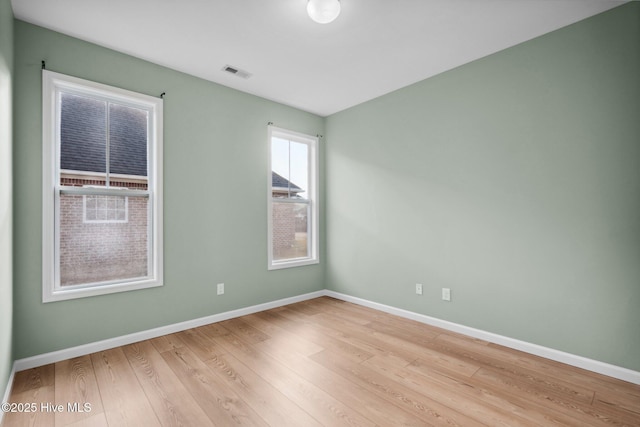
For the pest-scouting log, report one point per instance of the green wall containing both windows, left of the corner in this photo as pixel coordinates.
(215, 171)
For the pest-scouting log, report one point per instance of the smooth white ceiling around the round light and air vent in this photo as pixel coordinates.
(374, 47)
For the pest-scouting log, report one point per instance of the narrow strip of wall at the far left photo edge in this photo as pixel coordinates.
(6, 206)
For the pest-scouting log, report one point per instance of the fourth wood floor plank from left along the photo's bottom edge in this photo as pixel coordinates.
(170, 400)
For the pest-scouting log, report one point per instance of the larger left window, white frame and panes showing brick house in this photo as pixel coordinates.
(102, 189)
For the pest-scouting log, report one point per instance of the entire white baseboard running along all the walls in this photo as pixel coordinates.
(549, 353)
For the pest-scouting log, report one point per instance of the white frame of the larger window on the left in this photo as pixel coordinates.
(52, 85)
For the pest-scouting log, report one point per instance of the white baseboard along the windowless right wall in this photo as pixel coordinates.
(538, 350)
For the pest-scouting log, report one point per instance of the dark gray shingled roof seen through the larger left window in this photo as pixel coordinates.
(83, 136)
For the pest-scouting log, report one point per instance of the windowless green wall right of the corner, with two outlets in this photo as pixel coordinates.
(513, 180)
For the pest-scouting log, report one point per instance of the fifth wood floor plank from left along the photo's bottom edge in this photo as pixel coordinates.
(221, 404)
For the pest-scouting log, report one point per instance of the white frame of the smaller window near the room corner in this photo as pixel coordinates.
(312, 143)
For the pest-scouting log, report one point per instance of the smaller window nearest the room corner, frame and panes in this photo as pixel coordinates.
(293, 201)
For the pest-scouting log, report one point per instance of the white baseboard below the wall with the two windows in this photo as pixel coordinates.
(81, 350)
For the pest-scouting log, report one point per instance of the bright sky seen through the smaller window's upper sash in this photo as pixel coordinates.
(289, 159)
